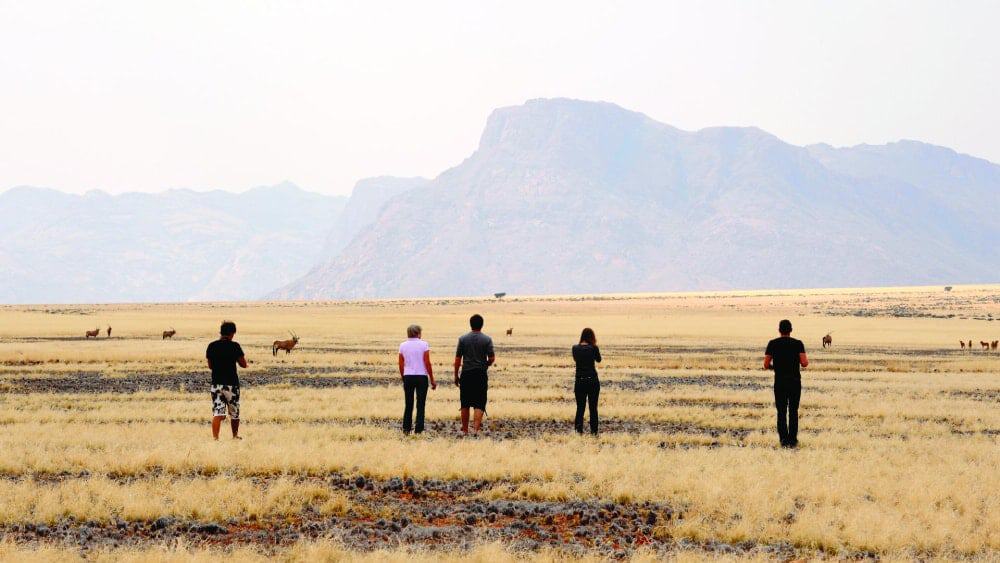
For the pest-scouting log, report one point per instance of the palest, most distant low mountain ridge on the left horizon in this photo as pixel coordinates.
(178, 245)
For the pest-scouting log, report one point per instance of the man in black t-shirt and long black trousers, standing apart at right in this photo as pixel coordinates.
(785, 355)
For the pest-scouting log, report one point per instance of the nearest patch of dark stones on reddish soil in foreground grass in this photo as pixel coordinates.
(432, 514)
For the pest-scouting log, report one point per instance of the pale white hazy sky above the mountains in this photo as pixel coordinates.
(146, 95)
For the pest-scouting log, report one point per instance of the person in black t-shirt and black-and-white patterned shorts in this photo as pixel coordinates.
(223, 356)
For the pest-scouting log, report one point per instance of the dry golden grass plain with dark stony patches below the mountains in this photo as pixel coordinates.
(106, 451)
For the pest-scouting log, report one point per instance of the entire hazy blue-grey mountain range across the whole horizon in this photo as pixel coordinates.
(561, 196)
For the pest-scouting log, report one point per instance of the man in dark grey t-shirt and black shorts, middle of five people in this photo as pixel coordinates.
(472, 358)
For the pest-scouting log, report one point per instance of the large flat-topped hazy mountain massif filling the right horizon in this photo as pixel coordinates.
(567, 196)
